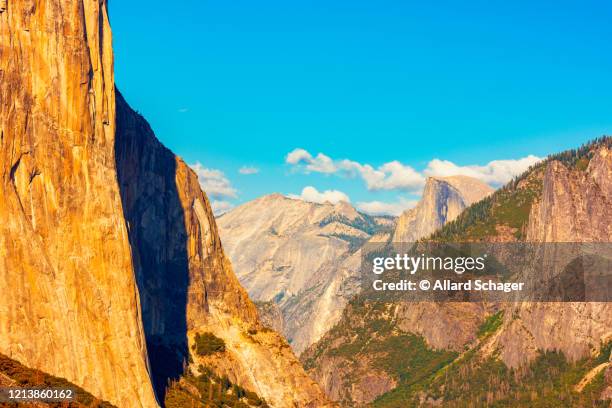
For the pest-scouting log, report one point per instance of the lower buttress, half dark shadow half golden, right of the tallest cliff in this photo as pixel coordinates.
(186, 282)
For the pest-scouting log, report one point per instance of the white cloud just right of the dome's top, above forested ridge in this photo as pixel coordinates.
(496, 172)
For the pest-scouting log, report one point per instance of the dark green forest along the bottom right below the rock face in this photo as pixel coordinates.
(549, 382)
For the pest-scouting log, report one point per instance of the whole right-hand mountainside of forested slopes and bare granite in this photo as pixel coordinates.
(478, 354)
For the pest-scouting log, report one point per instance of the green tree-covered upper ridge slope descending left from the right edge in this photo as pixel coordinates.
(510, 205)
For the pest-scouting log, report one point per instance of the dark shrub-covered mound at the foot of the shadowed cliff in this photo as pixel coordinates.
(206, 389)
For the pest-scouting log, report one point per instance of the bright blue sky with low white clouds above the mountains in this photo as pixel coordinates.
(229, 84)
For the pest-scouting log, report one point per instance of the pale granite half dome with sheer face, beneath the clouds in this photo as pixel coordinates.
(444, 198)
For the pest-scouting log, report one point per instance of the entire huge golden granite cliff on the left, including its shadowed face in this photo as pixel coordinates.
(110, 260)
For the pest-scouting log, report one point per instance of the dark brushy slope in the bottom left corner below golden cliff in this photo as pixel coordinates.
(13, 373)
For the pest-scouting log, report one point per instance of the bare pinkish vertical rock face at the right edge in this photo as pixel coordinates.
(574, 207)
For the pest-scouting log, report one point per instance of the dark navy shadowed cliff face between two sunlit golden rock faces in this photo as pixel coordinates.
(156, 227)
